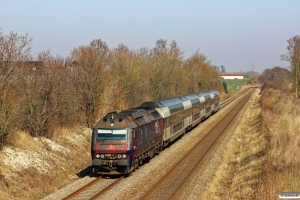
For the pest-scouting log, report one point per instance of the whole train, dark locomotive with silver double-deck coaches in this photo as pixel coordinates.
(123, 141)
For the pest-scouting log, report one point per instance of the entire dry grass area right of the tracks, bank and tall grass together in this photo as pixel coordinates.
(266, 160)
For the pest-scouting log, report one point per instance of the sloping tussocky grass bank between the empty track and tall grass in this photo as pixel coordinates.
(239, 174)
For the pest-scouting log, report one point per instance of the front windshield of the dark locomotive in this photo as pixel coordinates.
(111, 134)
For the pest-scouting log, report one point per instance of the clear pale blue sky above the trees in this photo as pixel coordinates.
(240, 35)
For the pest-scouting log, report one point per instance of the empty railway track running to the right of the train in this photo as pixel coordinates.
(168, 186)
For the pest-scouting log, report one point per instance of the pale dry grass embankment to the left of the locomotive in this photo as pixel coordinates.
(65, 156)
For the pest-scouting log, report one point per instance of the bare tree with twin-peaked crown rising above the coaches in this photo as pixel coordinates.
(165, 66)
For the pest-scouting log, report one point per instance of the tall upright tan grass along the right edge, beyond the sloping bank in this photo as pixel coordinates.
(281, 125)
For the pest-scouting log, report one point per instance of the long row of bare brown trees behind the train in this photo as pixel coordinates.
(51, 92)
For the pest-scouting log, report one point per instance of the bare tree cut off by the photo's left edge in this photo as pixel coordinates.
(13, 48)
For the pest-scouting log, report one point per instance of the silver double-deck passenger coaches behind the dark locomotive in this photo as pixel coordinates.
(181, 113)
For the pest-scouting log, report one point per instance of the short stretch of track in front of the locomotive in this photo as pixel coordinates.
(91, 190)
